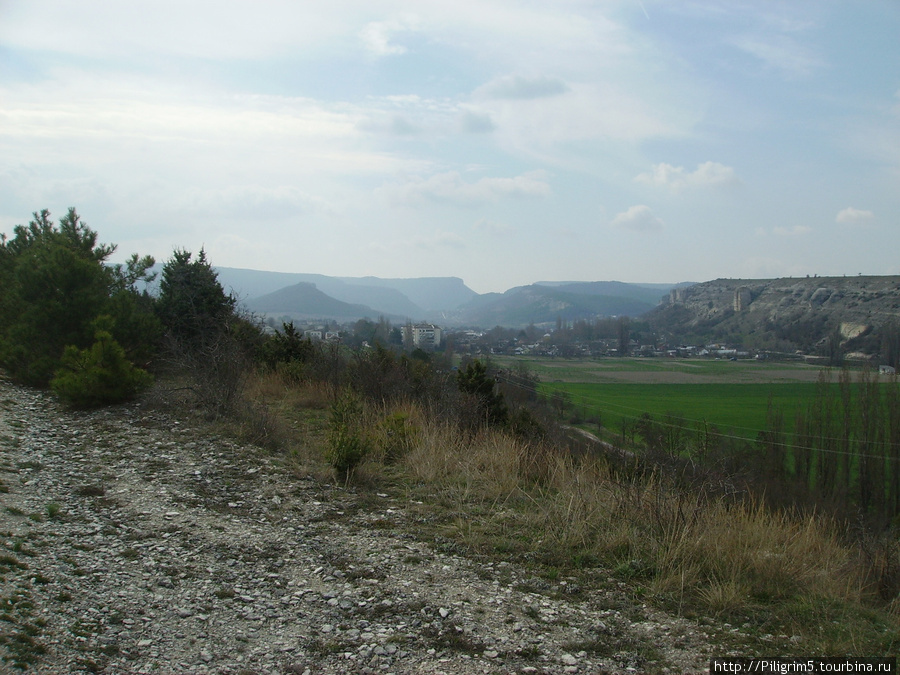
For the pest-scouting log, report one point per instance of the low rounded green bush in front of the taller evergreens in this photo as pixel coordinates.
(99, 375)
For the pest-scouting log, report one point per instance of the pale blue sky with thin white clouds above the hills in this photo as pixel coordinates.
(501, 141)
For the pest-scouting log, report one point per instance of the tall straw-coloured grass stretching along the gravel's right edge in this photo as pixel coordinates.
(713, 553)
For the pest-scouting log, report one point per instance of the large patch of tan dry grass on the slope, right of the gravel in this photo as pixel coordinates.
(701, 556)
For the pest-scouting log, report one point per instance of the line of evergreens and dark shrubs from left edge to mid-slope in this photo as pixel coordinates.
(92, 332)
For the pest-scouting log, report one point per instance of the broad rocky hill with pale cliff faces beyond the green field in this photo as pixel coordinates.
(811, 314)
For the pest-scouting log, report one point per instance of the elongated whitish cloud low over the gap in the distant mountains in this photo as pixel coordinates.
(450, 187)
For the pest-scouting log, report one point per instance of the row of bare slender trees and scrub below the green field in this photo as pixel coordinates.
(839, 453)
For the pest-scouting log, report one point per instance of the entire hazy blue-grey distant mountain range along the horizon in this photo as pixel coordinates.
(444, 300)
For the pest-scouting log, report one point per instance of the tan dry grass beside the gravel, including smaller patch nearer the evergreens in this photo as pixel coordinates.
(701, 556)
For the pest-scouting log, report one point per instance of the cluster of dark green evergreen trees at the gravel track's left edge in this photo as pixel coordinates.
(90, 330)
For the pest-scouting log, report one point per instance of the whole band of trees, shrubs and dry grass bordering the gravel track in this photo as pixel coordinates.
(795, 551)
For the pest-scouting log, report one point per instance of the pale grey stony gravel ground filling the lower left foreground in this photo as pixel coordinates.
(133, 542)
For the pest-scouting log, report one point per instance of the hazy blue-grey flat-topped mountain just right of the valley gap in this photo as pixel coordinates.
(544, 304)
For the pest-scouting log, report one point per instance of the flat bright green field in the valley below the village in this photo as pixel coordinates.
(732, 395)
